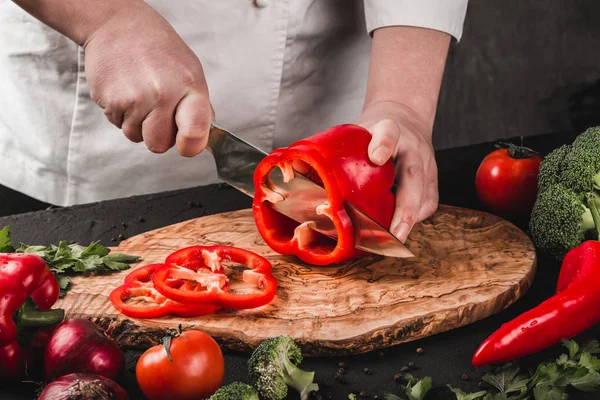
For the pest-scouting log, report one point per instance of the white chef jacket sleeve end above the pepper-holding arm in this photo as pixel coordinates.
(443, 15)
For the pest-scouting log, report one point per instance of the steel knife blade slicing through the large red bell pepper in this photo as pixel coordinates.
(236, 161)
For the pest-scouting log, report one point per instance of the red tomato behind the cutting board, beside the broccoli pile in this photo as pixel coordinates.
(506, 181)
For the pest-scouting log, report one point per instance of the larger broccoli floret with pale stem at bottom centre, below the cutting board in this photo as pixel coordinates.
(273, 366)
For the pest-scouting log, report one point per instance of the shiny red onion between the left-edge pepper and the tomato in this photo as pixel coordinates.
(79, 346)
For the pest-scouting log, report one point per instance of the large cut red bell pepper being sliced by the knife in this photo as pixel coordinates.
(336, 159)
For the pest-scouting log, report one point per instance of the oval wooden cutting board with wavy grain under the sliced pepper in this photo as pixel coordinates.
(467, 265)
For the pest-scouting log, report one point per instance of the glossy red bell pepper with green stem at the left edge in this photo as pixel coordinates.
(28, 290)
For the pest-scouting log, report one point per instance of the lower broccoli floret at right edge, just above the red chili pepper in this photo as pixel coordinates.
(560, 220)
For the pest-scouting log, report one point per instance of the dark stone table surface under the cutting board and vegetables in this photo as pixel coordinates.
(446, 356)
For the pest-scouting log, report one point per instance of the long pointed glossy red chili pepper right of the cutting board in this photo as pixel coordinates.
(572, 310)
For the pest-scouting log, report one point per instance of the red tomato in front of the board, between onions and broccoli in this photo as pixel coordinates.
(196, 372)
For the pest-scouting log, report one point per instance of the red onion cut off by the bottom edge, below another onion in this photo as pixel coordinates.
(83, 387)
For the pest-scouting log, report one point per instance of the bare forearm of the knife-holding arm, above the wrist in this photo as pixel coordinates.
(76, 19)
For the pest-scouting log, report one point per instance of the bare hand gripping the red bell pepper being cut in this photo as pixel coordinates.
(400, 134)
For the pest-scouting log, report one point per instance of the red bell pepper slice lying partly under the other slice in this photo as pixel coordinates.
(138, 283)
